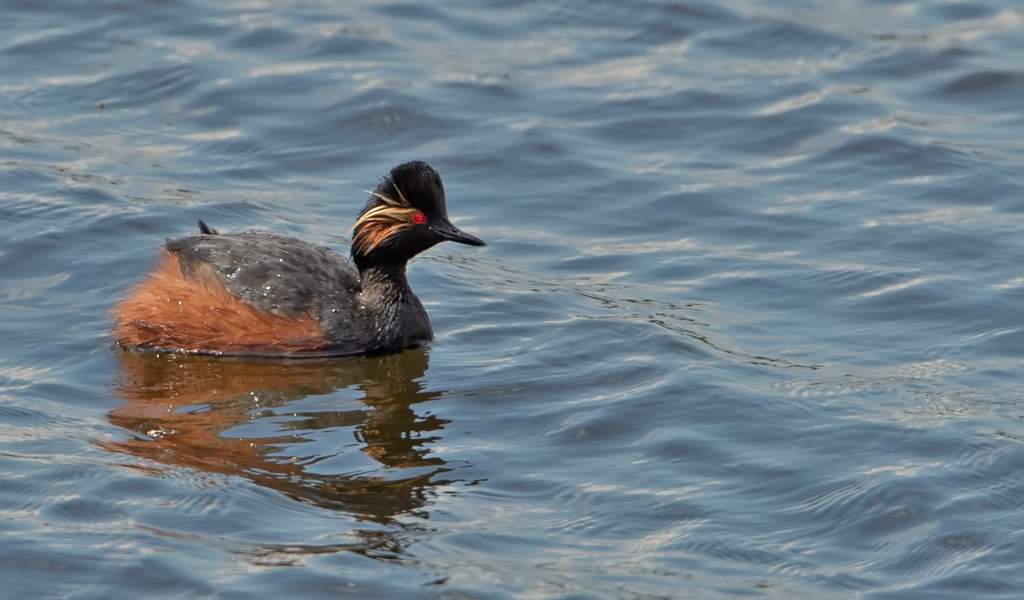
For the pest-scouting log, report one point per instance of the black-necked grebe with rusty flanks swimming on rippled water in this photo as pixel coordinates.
(258, 293)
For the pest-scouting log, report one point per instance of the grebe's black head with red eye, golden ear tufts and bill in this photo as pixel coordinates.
(405, 217)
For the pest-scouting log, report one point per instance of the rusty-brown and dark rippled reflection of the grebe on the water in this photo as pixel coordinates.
(182, 409)
